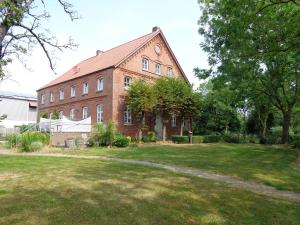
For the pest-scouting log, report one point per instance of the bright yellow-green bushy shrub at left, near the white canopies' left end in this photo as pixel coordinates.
(27, 138)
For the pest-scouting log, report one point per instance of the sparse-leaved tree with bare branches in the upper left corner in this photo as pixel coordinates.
(21, 29)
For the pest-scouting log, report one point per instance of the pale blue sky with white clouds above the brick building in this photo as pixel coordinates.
(106, 24)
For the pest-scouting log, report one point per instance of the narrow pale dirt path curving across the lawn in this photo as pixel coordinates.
(246, 185)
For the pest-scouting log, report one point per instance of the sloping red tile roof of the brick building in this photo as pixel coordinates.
(107, 59)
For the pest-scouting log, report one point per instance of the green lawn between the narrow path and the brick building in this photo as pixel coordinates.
(269, 165)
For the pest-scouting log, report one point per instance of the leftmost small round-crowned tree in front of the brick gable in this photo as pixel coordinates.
(141, 100)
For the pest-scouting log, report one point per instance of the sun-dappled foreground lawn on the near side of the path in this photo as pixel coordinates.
(46, 190)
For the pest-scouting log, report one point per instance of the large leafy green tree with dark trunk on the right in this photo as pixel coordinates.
(259, 48)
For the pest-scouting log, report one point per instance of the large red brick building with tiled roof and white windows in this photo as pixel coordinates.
(97, 86)
